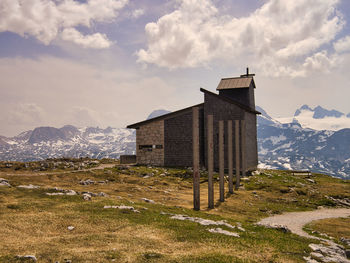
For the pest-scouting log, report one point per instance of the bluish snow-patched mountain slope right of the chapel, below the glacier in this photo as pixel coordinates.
(290, 146)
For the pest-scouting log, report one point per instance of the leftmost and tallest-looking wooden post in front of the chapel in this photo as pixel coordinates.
(195, 142)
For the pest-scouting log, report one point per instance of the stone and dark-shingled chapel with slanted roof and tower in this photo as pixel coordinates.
(167, 140)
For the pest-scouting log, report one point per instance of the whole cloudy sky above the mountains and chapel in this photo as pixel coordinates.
(112, 62)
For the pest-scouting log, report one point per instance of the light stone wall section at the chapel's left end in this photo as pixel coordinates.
(150, 134)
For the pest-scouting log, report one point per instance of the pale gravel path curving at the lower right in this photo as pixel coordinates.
(295, 221)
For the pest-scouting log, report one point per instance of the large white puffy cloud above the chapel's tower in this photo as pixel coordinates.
(281, 38)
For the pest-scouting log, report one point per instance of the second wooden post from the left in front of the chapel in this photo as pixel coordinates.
(210, 162)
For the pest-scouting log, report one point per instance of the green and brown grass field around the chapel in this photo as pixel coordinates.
(34, 223)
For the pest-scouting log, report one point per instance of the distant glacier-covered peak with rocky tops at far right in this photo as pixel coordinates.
(319, 118)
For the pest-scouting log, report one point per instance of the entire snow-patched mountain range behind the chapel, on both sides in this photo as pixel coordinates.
(290, 145)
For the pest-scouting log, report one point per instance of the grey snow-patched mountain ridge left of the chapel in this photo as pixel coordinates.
(68, 141)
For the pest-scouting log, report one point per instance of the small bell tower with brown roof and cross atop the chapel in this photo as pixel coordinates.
(240, 89)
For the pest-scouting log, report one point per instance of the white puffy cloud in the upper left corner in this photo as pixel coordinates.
(47, 19)
